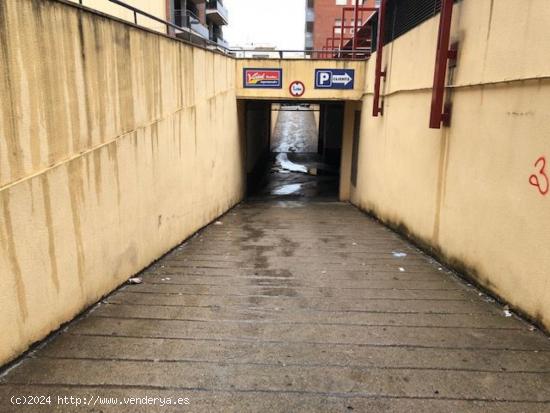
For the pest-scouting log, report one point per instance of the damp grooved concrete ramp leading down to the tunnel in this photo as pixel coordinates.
(293, 307)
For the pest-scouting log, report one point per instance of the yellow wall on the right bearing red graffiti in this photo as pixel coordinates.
(464, 191)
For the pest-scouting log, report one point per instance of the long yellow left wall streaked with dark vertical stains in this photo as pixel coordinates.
(115, 145)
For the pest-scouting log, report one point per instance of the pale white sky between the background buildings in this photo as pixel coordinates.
(280, 23)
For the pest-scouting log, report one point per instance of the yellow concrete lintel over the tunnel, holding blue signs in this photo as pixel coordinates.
(304, 71)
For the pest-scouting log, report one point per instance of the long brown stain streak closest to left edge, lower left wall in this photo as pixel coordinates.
(12, 258)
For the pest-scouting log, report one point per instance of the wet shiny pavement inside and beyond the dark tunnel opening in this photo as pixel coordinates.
(297, 171)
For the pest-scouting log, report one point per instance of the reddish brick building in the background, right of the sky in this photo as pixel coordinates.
(324, 20)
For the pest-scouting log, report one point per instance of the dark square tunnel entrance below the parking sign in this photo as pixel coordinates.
(293, 149)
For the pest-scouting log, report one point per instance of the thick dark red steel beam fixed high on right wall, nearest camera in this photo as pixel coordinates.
(443, 54)
